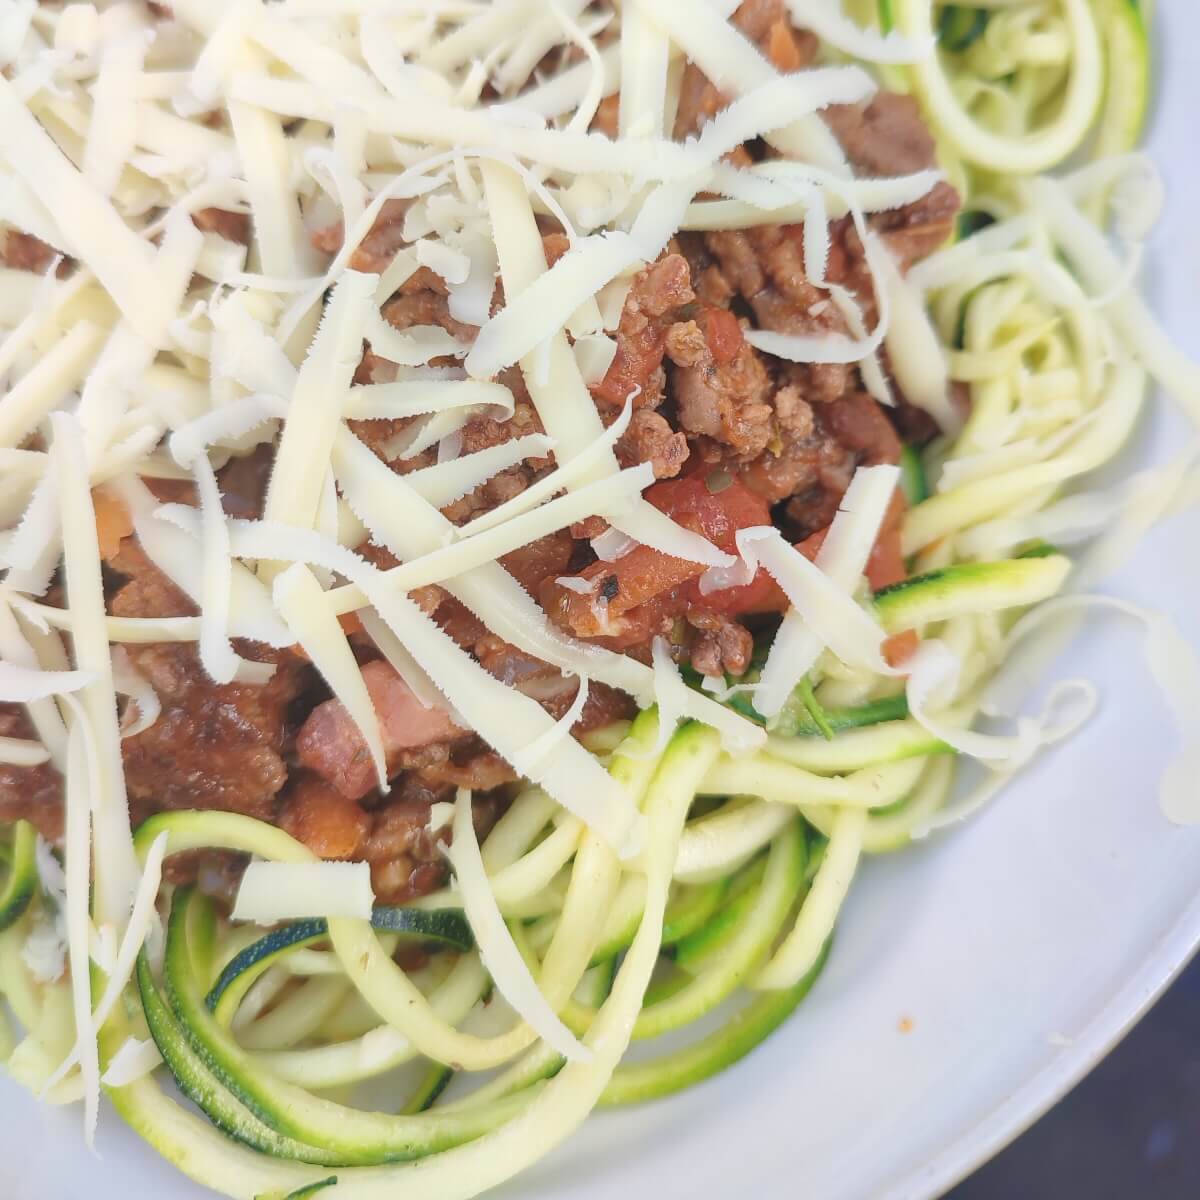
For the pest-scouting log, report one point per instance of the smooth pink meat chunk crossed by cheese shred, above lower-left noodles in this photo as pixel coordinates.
(332, 746)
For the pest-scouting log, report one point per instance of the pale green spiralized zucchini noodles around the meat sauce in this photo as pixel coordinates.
(730, 908)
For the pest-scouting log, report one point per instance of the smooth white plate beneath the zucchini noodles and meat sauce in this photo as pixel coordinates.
(1021, 947)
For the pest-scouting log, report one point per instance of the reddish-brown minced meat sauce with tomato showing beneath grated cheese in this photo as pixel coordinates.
(737, 439)
